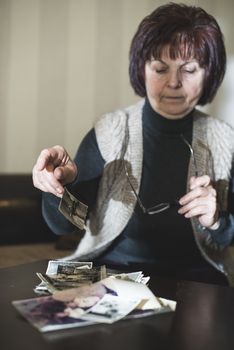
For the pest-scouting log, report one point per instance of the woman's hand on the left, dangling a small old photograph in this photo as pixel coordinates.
(53, 170)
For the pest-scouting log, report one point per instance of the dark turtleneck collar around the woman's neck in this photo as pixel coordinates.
(156, 123)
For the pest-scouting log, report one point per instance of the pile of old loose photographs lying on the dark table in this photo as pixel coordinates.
(77, 294)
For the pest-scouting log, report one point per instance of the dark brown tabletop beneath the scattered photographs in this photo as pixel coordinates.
(204, 319)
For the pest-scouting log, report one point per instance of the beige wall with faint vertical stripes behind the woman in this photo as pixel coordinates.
(65, 62)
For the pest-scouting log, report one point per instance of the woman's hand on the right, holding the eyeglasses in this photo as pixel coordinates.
(201, 202)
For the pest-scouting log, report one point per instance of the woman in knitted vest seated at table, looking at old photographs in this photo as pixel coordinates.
(156, 176)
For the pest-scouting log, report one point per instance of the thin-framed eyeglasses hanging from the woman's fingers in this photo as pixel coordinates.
(158, 208)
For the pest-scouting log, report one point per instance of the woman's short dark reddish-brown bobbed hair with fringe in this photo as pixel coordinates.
(190, 32)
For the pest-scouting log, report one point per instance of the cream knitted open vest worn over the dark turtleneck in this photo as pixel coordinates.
(119, 137)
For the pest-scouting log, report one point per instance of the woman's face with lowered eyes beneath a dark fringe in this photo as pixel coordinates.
(173, 87)
